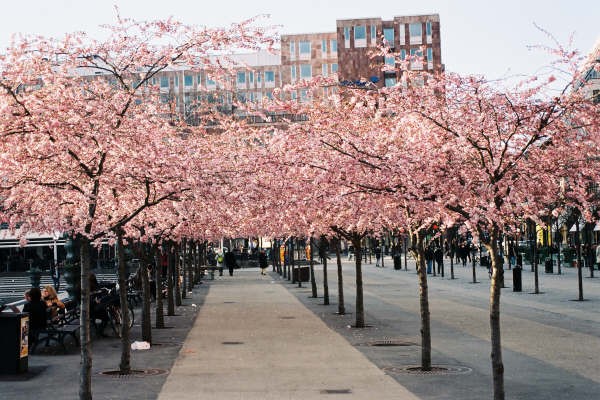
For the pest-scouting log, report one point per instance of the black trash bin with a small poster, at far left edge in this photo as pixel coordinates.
(14, 343)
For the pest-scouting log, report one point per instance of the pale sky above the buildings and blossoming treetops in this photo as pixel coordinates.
(479, 37)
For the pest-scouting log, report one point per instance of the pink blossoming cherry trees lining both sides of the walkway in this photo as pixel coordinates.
(99, 158)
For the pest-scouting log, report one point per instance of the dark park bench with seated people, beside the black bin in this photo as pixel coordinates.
(58, 329)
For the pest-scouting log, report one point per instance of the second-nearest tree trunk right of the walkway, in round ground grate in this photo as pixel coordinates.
(424, 303)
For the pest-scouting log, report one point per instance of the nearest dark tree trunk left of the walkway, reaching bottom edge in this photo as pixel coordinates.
(85, 376)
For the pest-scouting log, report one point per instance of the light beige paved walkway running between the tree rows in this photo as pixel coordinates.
(244, 345)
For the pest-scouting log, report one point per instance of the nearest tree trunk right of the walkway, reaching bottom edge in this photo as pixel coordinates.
(497, 273)
